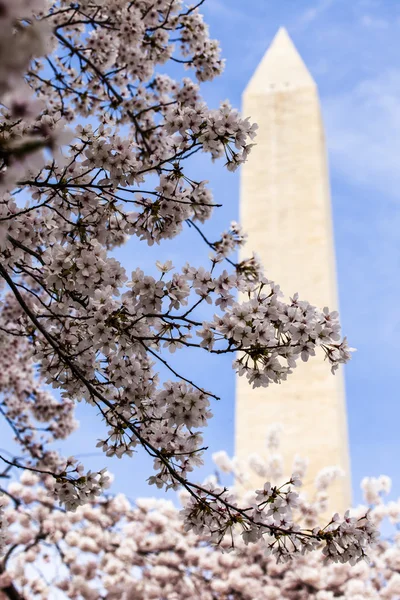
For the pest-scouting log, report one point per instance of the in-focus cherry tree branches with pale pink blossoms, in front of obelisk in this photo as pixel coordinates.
(95, 143)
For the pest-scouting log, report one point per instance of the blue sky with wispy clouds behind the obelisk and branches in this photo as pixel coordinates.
(352, 50)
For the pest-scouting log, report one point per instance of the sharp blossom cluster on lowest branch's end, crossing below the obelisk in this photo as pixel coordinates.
(268, 521)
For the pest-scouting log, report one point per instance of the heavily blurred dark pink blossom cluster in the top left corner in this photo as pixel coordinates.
(26, 128)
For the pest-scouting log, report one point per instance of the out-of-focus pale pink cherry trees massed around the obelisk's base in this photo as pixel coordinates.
(113, 548)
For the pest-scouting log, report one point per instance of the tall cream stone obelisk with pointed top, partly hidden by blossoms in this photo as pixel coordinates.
(286, 211)
